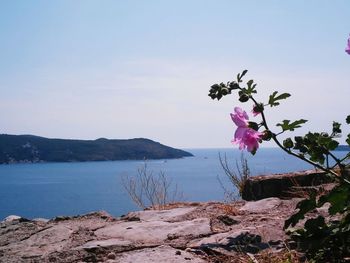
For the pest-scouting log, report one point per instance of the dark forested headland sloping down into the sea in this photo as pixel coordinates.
(29, 148)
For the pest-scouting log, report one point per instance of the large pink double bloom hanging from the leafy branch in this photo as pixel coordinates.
(244, 136)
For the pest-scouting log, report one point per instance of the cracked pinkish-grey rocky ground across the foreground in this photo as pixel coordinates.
(184, 232)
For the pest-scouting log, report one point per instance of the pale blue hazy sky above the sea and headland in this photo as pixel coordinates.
(125, 69)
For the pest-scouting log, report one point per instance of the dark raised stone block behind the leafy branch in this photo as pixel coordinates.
(285, 185)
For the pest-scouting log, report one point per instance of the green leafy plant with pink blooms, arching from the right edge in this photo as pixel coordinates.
(320, 240)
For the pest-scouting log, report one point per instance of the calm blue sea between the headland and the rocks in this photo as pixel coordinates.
(51, 189)
